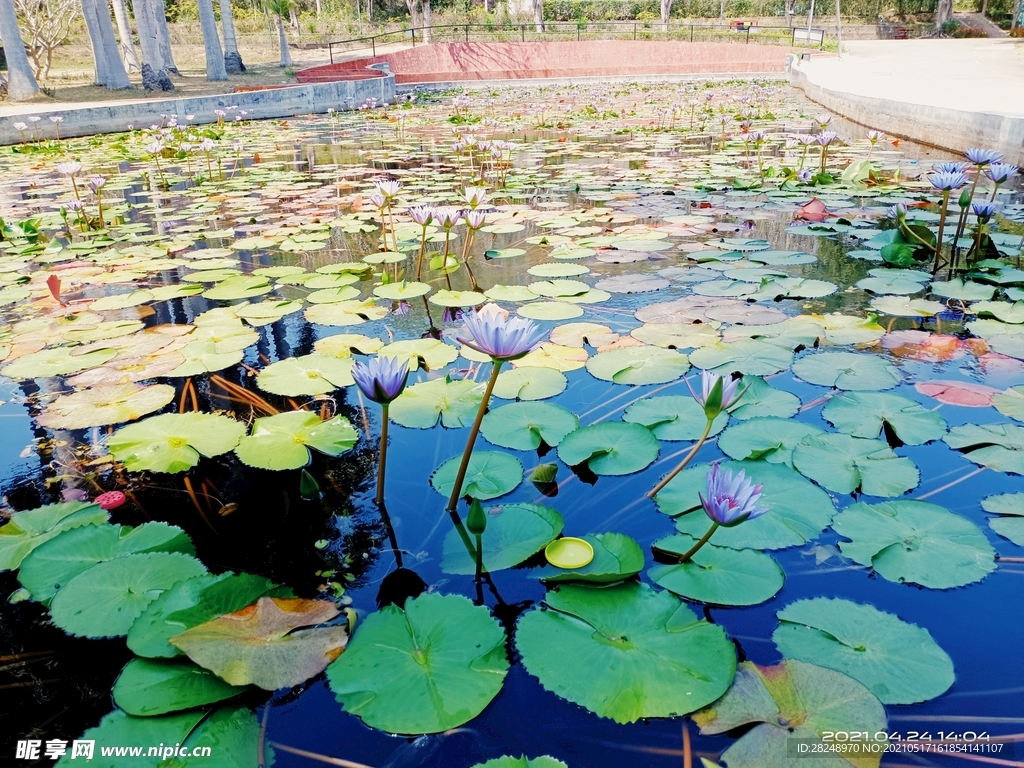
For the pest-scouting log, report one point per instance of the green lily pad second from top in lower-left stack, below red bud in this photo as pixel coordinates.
(56, 563)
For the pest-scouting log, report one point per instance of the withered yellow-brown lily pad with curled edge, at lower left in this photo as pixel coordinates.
(266, 644)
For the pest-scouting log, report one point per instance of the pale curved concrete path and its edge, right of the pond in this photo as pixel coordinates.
(945, 93)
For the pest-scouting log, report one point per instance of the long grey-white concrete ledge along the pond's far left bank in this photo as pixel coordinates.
(115, 117)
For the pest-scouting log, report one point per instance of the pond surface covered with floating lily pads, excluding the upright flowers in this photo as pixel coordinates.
(655, 216)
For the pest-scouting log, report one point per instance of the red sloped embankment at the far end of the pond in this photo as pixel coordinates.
(559, 60)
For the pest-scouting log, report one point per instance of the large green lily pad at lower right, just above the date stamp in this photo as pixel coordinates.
(900, 663)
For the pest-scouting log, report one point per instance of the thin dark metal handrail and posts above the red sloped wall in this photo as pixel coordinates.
(655, 28)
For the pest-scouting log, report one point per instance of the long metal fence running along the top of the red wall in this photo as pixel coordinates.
(740, 32)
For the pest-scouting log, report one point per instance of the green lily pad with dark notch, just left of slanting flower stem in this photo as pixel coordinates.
(611, 448)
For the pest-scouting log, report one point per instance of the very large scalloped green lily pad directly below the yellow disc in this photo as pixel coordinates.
(656, 658)
